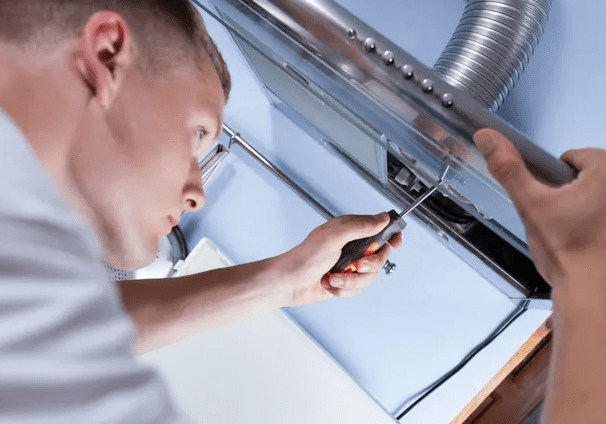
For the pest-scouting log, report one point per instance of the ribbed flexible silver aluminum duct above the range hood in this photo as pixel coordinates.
(491, 46)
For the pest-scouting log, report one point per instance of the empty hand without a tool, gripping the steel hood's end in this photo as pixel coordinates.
(565, 226)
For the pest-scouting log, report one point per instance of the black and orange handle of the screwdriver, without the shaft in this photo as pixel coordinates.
(356, 249)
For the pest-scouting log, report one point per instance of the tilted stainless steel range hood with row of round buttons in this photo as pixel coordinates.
(399, 123)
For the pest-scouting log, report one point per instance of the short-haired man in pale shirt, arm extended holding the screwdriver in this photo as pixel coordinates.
(105, 107)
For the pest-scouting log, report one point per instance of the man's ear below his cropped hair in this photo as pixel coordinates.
(104, 55)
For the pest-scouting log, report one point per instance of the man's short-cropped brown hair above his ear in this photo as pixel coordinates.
(167, 32)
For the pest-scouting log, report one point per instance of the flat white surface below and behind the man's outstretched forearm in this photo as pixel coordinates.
(264, 370)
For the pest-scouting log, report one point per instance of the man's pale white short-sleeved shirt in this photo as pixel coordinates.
(65, 341)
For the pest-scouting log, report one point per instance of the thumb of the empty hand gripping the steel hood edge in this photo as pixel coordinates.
(504, 163)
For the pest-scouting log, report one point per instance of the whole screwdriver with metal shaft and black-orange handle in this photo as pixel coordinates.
(356, 249)
